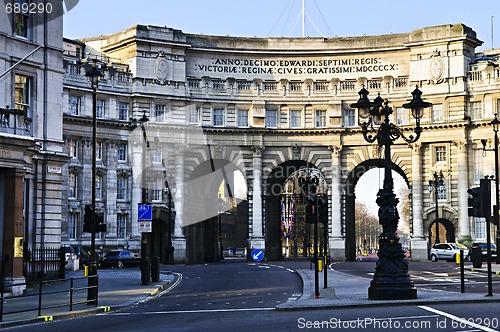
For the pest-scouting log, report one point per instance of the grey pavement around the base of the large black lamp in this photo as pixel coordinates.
(346, 290)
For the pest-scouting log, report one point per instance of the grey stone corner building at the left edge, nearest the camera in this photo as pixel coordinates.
(31, 142)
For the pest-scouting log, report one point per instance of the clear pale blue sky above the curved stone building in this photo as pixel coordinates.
(275, 18)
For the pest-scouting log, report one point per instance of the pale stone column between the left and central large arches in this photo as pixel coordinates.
(257, 235)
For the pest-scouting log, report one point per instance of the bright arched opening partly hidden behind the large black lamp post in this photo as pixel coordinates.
(357, 230)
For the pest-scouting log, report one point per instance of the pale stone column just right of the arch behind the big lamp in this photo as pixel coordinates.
(418, 244)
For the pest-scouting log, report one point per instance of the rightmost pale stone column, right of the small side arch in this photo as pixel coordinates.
(462, 184)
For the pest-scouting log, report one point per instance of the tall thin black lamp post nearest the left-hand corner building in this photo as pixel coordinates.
(94, 75)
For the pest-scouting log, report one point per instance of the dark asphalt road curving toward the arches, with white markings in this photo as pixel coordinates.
(241, 296)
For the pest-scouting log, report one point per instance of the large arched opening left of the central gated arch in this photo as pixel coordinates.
(216, 212)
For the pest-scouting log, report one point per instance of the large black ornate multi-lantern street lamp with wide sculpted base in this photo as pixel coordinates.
(391, 279)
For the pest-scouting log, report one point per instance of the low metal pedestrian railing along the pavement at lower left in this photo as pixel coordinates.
(46, 297)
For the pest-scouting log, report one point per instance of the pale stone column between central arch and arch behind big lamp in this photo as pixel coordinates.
(336, 240)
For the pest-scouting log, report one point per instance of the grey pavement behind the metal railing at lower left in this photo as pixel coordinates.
(117, 288)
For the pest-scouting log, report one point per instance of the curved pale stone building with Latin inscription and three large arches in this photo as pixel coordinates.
(264, 109)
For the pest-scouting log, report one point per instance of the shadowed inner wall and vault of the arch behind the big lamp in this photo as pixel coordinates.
(350, 201)
